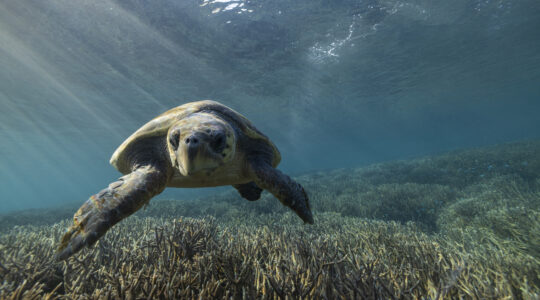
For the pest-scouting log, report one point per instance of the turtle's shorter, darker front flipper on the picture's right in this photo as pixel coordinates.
(288, 191)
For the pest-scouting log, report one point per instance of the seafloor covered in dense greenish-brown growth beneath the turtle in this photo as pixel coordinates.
(460, 225)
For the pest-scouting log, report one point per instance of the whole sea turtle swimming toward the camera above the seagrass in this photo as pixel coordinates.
(198, 144)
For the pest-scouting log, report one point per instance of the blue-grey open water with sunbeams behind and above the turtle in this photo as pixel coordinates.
(333, 83)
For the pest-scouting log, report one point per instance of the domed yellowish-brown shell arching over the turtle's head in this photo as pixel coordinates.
(159, 127)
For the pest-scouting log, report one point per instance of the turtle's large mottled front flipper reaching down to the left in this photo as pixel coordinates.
(106, 208)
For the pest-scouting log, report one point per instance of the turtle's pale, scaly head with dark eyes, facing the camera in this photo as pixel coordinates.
(199, 142)
